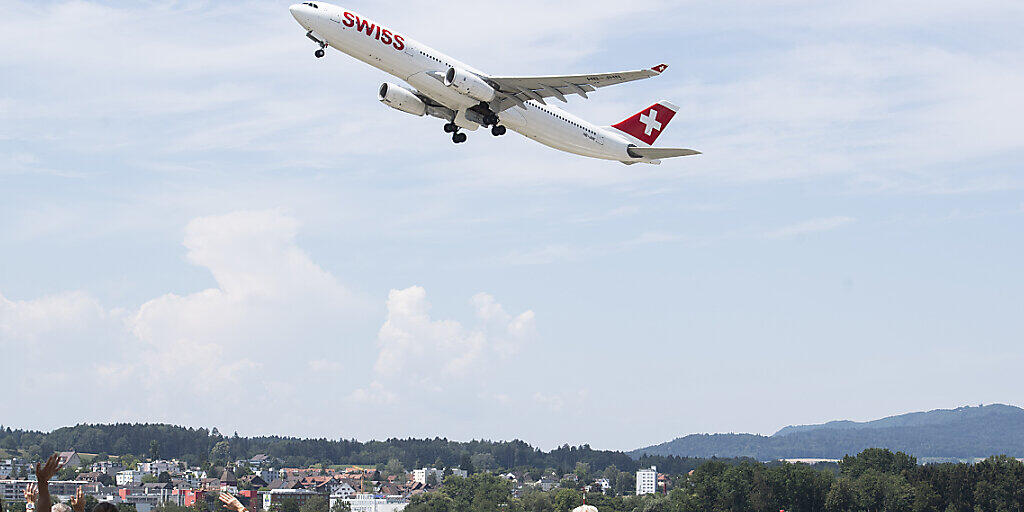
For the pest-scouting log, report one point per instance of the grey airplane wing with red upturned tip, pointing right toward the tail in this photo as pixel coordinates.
(517, 91)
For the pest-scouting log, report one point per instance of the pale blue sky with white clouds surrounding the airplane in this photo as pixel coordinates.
(191, 203)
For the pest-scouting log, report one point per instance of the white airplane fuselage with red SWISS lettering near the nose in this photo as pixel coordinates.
(421, 67)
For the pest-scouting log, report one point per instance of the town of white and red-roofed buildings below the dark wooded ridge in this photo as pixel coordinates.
(262, 484)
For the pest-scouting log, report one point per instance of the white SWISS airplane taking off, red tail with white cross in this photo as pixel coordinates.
(468, 99)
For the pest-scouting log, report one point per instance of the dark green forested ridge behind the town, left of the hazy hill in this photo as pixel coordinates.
(199, 446)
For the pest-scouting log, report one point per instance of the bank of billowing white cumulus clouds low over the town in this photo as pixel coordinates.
(272, 315)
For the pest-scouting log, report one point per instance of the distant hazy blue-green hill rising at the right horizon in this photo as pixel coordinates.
(959, 434)
